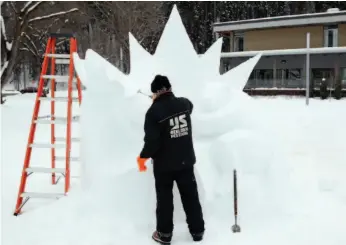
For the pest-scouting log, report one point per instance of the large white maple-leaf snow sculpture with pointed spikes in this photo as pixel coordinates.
(113, 113)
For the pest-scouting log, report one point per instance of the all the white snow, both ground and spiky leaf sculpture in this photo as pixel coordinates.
(289, 157)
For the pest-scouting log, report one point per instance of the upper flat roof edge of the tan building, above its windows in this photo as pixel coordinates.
(331, 17)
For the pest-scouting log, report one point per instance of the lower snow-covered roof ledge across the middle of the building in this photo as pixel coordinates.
(299, 51)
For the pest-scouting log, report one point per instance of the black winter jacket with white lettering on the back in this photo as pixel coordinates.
(168, 133)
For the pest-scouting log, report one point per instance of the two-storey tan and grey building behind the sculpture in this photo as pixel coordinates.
(283, 43)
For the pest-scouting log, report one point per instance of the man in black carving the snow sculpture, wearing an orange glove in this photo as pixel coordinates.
(168, 141)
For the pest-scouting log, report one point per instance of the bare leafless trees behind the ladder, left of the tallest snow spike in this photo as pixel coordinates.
(102, 26)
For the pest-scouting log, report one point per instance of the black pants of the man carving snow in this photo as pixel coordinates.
(187, 186)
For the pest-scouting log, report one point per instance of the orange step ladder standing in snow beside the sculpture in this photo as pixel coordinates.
(52, 58)
